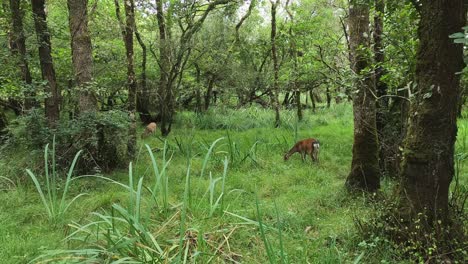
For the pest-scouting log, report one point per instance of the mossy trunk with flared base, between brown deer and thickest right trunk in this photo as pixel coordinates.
(364, 173)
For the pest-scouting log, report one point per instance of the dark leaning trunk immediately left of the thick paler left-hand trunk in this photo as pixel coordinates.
(47, 66)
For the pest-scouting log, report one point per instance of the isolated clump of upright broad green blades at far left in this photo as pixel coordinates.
(55, 204)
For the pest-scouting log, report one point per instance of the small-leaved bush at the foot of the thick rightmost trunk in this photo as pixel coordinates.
(419, 239)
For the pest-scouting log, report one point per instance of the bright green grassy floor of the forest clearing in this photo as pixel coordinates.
(271, 210)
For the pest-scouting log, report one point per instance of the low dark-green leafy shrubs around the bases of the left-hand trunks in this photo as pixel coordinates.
(102, 136)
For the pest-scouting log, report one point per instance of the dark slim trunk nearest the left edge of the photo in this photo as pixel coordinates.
(18, 47)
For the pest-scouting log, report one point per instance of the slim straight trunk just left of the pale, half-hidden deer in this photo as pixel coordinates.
(131, 80)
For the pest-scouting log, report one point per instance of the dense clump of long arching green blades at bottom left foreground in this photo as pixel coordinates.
(118, 236)
